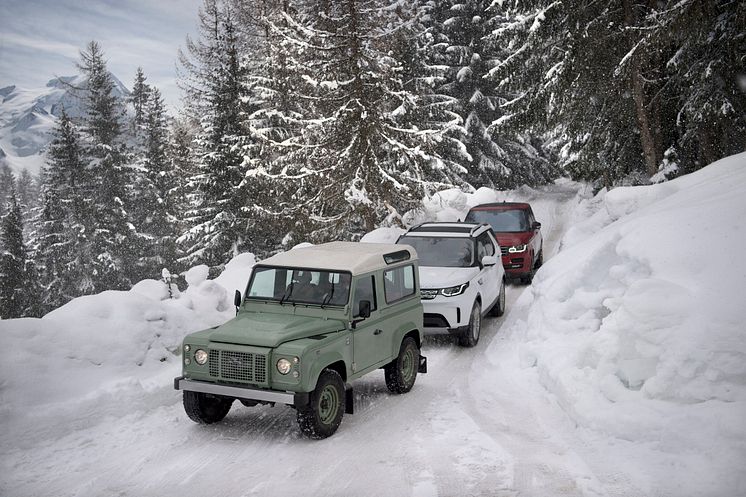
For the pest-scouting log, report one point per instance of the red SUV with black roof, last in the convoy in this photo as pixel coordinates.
(517, 232)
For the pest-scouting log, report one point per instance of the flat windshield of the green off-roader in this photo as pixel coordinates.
(306, 286)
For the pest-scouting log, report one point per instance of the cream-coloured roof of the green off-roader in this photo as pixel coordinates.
(355, 257)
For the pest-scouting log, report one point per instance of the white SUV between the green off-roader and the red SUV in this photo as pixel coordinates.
(461, 277)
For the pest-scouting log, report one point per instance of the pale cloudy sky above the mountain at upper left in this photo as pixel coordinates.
(40, 39)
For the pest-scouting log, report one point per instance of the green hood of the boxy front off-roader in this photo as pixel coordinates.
(263, 329)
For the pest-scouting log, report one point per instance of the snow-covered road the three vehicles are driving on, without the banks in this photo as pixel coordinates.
(471, 426)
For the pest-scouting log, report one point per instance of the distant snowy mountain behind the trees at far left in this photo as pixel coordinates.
(27, 118)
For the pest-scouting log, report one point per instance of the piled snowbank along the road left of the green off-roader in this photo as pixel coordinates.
(93, 345)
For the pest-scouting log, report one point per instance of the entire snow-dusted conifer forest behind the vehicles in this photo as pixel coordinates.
(317, 120)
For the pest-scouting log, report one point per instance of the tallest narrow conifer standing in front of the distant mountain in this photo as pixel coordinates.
(114, 235)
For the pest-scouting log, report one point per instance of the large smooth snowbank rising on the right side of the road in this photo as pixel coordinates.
(635, 324)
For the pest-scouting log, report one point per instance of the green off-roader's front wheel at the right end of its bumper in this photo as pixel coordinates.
(323, 415)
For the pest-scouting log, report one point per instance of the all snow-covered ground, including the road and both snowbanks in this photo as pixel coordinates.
(621, 371)
